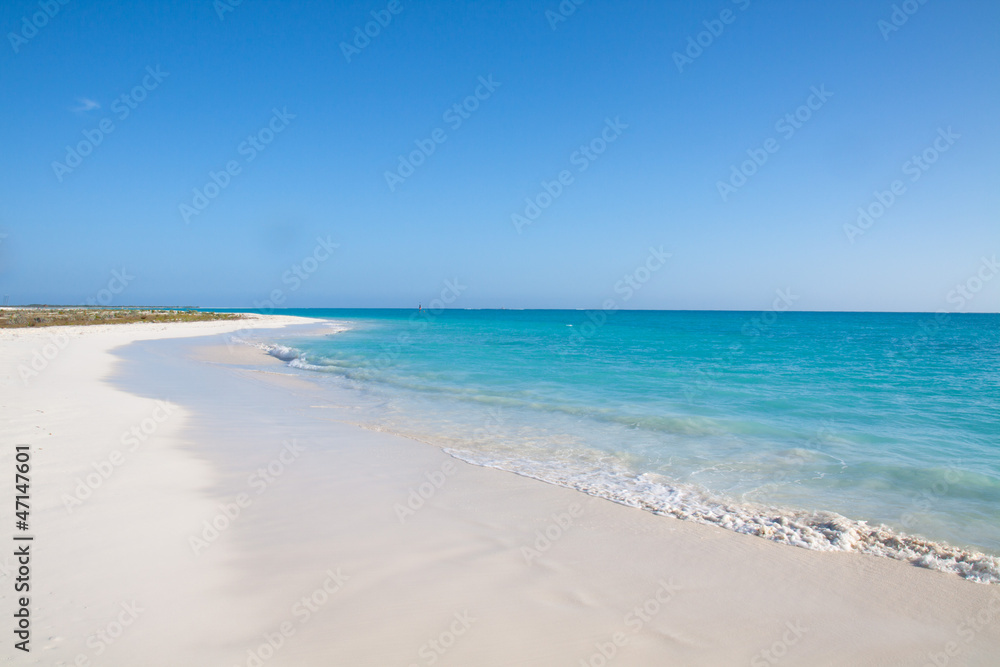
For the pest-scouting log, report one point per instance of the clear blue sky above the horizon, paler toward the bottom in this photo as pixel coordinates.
(311, 115)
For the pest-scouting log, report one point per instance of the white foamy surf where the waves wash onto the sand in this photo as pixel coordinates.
(817, 528)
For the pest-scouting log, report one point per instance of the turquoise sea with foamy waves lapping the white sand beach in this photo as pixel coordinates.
(877, 433)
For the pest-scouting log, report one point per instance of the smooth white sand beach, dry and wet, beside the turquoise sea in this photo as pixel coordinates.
(449, 586)
